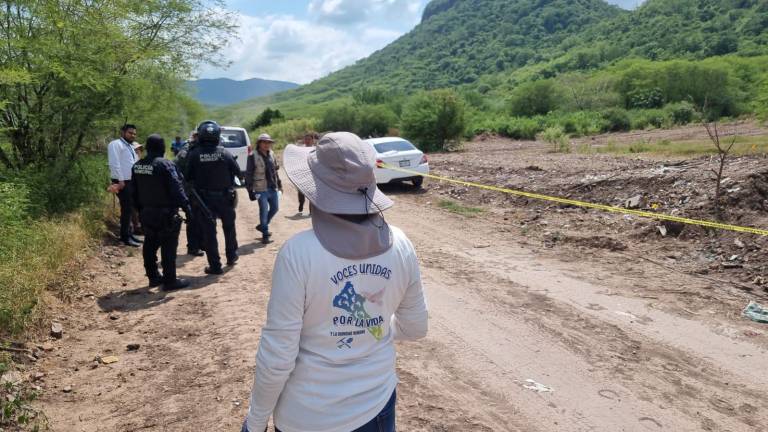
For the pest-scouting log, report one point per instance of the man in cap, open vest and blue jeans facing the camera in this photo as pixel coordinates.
(263, 183)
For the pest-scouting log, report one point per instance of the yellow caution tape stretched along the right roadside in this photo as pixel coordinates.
(613, 209)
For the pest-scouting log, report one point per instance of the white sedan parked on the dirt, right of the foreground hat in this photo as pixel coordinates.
(399, 153)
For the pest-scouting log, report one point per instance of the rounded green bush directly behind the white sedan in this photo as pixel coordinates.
(434, 119)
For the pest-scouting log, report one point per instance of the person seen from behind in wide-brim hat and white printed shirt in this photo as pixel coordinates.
(342, 292)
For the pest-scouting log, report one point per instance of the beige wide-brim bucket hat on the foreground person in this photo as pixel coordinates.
(337, 175)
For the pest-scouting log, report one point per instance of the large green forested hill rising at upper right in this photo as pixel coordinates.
(492, 46)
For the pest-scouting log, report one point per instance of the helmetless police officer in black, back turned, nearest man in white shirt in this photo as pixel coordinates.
(158, 194)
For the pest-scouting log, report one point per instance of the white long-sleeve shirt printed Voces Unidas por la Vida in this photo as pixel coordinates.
(326, 359)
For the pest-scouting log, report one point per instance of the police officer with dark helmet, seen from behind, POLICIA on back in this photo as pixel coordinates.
(212, 171)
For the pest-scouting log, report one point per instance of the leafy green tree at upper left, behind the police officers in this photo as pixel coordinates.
(70, 71)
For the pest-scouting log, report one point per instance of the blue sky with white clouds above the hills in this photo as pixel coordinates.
(302, 40)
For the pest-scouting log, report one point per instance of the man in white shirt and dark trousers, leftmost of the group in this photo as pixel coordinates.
(121, 157)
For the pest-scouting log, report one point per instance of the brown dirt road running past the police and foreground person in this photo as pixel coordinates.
(593, 337)
